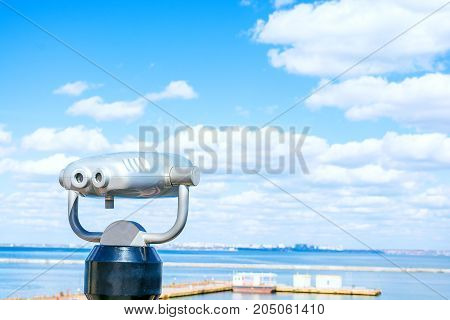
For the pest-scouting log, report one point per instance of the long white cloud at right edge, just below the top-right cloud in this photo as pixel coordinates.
(418, 101)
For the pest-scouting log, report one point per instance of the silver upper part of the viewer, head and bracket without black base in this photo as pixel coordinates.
(132, 175)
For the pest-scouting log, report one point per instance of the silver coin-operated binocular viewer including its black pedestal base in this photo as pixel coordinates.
(124, 265)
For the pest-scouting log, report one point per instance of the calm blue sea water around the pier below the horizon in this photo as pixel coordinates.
(27, 280)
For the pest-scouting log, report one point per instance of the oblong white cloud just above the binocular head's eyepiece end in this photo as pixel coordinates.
(78, 138)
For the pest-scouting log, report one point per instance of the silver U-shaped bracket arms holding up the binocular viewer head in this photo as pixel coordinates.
(148, 237)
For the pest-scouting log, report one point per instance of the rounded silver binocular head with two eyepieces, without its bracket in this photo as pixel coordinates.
(129, 174)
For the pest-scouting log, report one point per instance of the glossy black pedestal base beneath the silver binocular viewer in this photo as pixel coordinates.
(123, 273)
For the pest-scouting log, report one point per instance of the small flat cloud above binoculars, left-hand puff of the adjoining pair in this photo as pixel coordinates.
(96, 108)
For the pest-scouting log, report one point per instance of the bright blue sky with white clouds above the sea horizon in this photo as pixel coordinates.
(378, 148)
